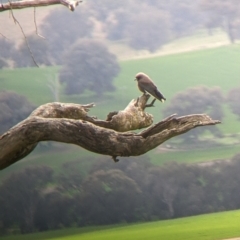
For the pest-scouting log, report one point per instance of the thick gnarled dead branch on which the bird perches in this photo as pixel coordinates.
(70, 123)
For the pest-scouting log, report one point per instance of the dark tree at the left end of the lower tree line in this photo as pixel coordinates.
(20, 195)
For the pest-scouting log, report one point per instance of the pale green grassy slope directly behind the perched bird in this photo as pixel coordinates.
(172, 73)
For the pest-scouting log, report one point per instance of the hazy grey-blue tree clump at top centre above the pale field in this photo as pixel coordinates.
(152, 24)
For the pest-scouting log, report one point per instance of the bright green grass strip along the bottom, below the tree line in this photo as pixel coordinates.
(214, 226)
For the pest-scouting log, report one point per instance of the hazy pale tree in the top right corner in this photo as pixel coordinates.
(224, 14)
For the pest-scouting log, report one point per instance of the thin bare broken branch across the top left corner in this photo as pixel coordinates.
(71, 4)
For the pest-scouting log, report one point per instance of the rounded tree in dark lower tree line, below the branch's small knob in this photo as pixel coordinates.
(111, 190)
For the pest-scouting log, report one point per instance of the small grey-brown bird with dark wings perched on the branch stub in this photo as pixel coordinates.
(145, 84)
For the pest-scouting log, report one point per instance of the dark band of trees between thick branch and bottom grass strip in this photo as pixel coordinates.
(134, 190)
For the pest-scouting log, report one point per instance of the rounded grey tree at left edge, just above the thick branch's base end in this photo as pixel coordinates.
(13, 108)
